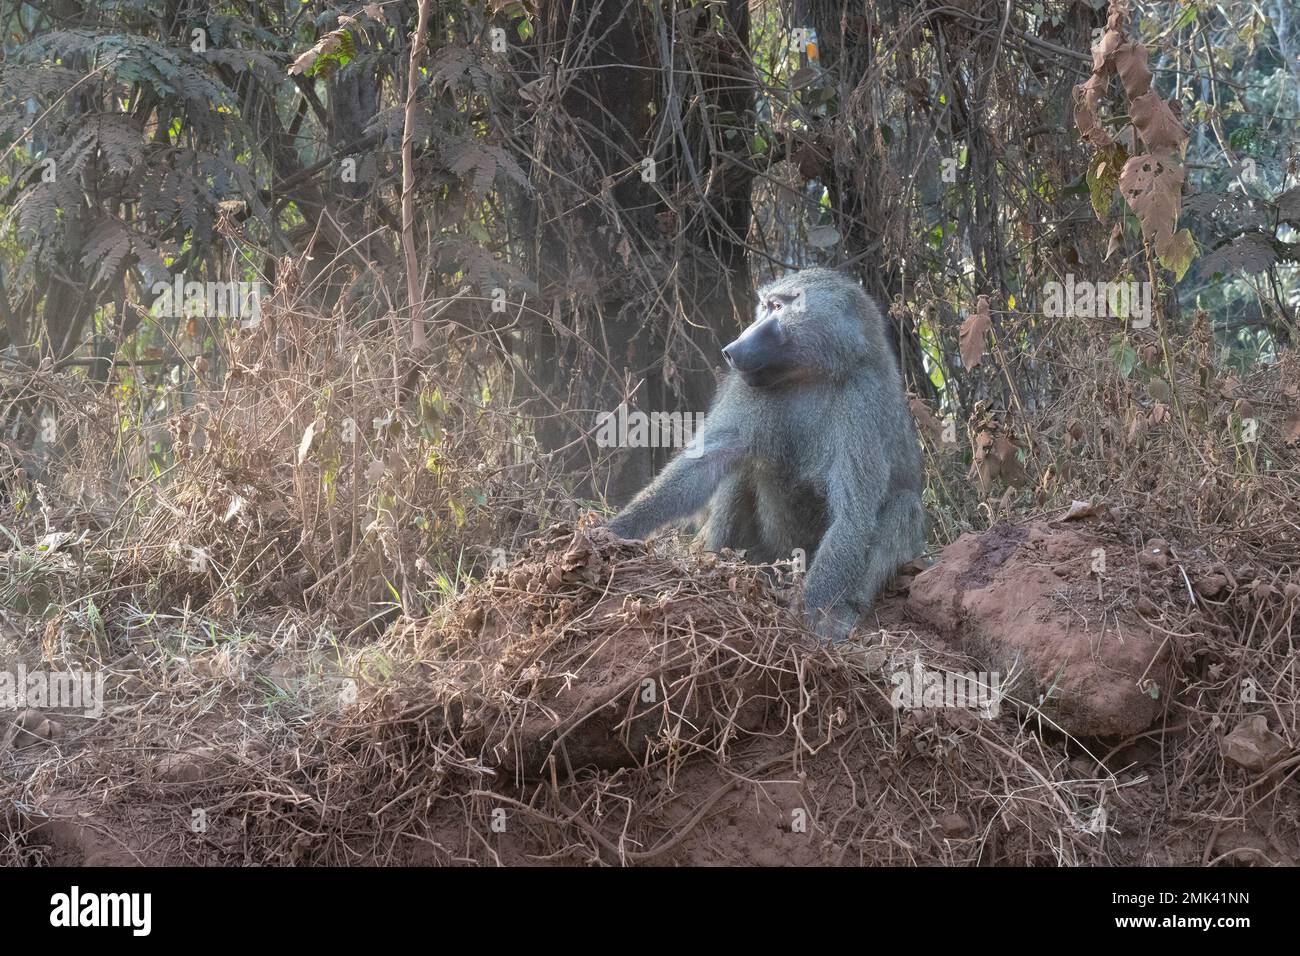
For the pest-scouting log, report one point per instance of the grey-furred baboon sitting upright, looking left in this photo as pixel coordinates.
(809, 445)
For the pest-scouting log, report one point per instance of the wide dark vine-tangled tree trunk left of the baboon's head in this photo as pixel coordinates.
(639, 228)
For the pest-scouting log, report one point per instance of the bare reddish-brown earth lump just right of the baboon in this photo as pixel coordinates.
(1038, 604)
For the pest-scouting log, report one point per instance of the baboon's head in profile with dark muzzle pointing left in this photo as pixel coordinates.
(812, 326)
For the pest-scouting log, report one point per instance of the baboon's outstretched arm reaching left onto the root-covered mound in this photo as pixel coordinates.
(681, 490)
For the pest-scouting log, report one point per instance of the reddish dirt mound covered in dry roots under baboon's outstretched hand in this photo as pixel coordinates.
(582, 650)
